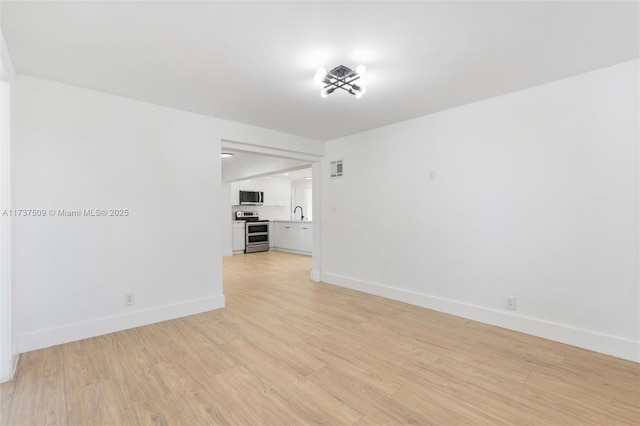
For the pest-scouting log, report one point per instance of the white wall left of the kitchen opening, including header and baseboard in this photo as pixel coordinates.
(80, 149)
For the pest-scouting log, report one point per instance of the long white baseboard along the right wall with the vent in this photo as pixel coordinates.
(586, 339)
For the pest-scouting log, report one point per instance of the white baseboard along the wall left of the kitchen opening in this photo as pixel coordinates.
(71, 332)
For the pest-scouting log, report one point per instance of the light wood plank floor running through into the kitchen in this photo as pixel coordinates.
(286, 350)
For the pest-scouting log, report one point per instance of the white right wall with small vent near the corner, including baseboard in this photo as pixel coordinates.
(535, 196)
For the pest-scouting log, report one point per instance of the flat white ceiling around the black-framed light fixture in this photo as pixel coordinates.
(254, 62)
